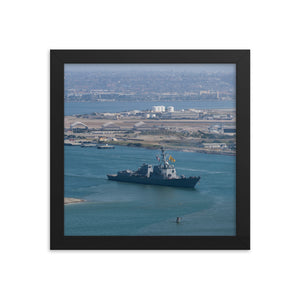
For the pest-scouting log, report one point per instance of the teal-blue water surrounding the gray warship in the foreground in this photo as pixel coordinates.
(115, 208)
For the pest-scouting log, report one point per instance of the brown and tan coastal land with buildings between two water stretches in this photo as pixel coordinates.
(210, 131)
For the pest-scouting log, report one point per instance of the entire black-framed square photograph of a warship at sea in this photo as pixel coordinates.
(150, 149)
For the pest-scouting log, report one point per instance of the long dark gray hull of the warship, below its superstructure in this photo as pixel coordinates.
(189, 182)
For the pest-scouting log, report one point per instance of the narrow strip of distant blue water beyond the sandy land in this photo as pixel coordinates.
(72, 108)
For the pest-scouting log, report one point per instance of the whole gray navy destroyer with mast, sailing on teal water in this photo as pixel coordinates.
(162, 174)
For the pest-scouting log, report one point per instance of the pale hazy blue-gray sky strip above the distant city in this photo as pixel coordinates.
(197, 68)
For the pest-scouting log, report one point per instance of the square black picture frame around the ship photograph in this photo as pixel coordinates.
(60, 57)
